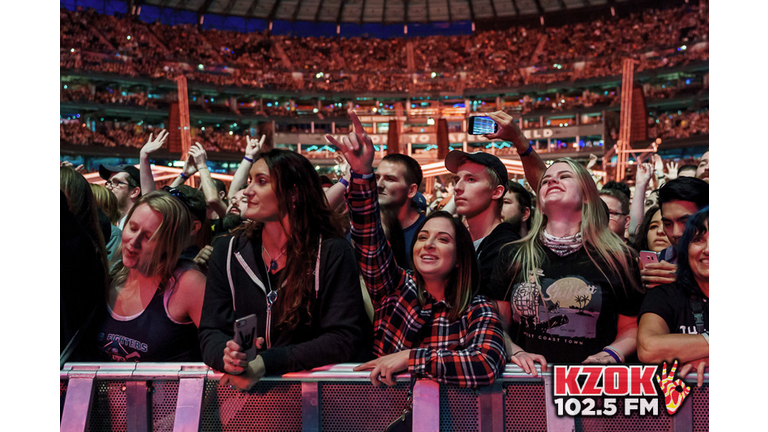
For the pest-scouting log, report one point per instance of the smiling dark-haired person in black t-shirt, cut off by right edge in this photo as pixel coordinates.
(674, 319)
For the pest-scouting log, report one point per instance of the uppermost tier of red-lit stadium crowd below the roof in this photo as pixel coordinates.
(655, 38)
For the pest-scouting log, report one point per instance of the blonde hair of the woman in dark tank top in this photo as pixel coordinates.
(169, 239)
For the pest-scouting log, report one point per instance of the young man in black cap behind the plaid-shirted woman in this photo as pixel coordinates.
(480, 184)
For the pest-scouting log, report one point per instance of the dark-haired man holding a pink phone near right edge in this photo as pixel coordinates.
(678, 199)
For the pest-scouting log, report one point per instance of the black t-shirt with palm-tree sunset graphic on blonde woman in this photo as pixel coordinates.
(573, 313)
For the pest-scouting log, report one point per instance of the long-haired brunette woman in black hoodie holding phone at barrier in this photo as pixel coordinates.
(291, 267)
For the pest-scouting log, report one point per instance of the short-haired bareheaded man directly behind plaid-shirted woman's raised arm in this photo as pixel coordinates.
(398, 178)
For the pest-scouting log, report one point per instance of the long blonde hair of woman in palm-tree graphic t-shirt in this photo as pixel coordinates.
(597, 238)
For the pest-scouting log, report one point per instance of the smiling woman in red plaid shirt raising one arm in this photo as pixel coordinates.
(429, 323)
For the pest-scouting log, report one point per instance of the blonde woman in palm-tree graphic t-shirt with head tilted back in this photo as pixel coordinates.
(569, 288)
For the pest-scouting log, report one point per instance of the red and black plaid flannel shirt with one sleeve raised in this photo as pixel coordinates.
(468, 352)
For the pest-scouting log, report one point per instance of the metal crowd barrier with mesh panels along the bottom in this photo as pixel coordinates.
(187, 397)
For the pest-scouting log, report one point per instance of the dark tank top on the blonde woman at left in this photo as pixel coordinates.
(151, 335)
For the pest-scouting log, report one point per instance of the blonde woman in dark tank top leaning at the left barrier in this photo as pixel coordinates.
(154, 299)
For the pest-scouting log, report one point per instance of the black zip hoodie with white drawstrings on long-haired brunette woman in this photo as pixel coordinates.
(338, 331)
